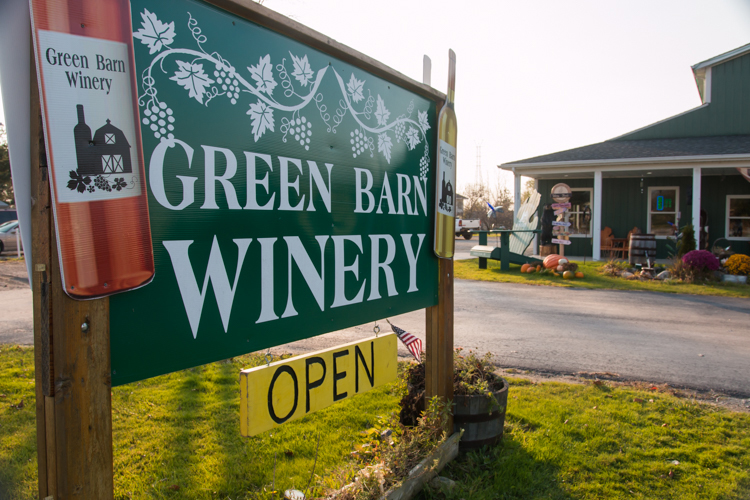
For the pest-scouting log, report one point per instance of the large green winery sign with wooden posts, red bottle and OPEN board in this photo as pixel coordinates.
(270, 185)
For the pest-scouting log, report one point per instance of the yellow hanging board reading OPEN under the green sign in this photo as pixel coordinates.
(290, 389)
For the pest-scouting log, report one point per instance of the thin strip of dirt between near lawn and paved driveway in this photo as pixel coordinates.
(713, 398)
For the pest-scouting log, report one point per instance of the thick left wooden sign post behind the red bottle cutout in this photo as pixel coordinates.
(71, 355)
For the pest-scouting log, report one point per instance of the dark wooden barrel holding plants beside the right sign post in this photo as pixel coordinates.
(481, 427)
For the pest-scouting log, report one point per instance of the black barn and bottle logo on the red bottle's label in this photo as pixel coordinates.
(103, 160)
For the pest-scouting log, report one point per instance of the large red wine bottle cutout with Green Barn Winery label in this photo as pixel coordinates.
(84, 57)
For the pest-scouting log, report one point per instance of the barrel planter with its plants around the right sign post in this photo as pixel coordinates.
(479, 399)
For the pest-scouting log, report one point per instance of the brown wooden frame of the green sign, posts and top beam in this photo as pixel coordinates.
(71, 337)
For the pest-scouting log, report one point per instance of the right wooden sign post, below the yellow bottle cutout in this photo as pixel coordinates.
(439, 341)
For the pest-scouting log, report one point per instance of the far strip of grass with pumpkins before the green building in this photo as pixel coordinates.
(594, 279)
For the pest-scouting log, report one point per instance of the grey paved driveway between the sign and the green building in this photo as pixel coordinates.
(638, 335)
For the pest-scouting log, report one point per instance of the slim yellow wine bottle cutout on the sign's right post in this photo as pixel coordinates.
(446, 181)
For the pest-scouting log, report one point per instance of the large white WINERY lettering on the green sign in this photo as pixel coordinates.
(347, 252)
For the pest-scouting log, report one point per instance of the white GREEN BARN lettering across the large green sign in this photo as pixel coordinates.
(402, 195)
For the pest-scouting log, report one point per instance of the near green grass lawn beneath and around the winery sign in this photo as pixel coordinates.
(177, 436)
